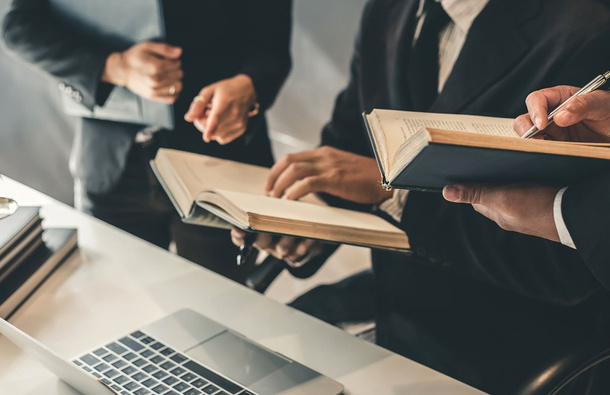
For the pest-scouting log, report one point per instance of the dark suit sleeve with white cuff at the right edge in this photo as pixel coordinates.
(586, 212)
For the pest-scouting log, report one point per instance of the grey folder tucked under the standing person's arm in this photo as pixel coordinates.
(117, 24)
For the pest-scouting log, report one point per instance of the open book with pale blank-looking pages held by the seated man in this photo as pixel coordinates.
(215, 192)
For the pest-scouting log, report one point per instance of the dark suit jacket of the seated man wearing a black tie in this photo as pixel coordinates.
(513, 48)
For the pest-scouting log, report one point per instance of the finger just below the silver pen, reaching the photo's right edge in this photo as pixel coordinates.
(593, 106)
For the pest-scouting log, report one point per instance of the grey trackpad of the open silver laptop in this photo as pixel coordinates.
(237, 358)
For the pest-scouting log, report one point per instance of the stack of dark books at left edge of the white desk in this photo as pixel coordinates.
(28, 255)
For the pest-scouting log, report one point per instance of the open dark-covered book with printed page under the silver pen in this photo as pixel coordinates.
(424, 151)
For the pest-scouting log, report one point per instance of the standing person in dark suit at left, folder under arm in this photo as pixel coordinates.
(232, 56)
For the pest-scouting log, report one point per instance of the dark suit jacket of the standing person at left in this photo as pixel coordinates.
(220, 39)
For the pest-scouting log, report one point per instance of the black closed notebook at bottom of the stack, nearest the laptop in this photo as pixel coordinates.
(35, 269)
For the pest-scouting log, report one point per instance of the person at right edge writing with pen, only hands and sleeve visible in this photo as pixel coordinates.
(573, 215)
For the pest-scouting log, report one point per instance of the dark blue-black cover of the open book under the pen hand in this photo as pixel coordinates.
(438, 165)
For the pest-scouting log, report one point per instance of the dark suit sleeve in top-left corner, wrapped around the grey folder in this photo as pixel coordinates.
(32, 32)
